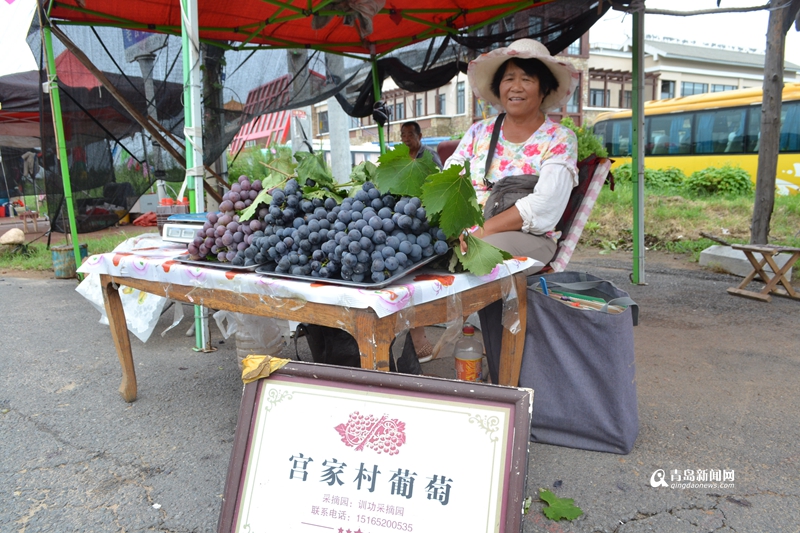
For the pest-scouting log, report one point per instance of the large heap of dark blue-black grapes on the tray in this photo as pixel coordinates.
(369, 237)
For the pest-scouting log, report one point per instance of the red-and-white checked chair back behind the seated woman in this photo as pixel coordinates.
(592, 173)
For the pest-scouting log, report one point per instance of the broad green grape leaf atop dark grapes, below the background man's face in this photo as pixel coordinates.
(399, 174)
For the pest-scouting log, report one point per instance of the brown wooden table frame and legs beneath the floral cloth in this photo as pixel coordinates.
(374, 334)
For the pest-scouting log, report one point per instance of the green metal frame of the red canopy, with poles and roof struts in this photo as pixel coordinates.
(190, 33)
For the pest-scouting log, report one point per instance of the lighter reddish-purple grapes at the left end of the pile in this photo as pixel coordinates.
(222, 236)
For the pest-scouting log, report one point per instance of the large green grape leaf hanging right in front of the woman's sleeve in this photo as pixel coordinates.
(451, 196)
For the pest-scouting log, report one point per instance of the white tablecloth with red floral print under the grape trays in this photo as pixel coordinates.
(156, 260)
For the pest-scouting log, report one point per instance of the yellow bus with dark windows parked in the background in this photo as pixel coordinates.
(709, 130)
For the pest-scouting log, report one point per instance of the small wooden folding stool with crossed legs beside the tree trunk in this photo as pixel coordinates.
(768, 252)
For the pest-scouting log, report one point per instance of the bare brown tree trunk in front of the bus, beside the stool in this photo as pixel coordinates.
(781, 16)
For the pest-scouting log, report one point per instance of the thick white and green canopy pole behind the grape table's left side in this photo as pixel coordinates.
(195, 172)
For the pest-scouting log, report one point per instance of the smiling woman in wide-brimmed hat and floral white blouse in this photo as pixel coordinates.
(522, 164)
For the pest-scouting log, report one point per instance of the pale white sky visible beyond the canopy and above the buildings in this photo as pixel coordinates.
(747, 30)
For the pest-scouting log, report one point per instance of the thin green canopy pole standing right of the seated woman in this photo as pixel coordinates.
(637, 53)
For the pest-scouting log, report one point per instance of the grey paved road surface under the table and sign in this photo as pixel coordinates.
(717, 383)
